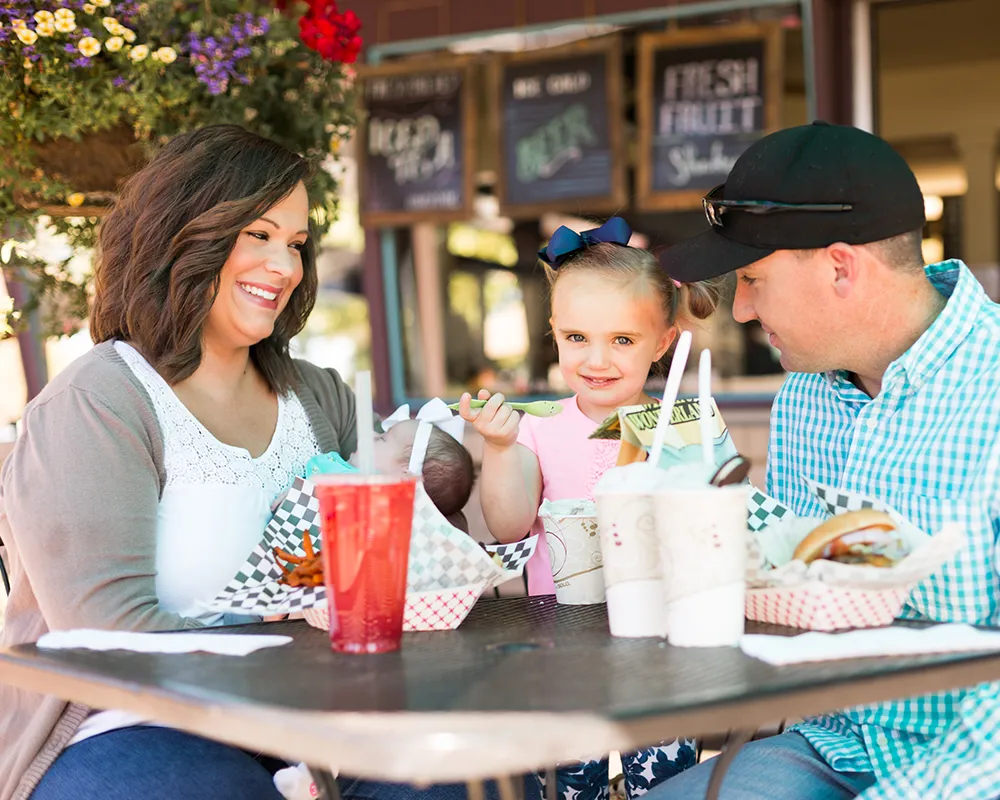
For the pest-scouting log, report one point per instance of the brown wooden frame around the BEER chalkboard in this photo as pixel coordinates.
(611, 48)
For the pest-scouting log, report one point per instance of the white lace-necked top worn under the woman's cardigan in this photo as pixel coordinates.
(214, 508)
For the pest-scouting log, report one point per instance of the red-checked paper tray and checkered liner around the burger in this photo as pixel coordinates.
(830, 596)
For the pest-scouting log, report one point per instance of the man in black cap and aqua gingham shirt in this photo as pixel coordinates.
(893, 392)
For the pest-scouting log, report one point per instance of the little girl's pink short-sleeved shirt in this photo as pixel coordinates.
(571, 465)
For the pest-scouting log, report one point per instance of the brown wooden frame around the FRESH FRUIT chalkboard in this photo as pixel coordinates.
(770, 35)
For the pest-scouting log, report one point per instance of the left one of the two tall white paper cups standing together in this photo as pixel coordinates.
(632, 574)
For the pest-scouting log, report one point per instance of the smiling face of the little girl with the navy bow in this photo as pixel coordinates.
(608, 336)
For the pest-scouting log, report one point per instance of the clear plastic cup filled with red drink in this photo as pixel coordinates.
(365, 523)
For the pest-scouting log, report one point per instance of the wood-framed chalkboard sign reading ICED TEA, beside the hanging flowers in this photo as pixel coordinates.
(416, 140)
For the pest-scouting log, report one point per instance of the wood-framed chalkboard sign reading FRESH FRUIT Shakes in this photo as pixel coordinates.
(704, 96)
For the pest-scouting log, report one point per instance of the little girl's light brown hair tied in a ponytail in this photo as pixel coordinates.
(633, 266)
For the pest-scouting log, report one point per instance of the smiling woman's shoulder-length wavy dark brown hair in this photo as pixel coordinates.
(172, 228)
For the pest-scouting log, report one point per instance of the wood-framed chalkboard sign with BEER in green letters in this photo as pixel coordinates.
(558, 126)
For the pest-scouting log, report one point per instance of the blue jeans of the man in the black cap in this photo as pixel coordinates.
(783, 767)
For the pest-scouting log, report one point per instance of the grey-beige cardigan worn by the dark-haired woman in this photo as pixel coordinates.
(78, 500)
